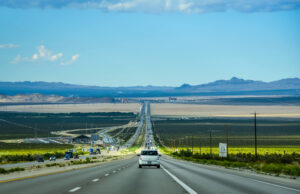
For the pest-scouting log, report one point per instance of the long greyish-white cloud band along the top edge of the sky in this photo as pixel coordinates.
(160, 6)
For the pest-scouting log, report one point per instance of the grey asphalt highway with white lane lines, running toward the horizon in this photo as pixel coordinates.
(174, 176)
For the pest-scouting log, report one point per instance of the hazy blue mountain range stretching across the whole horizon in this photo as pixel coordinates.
(234, 86)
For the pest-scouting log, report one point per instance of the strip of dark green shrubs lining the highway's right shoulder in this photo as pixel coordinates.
(270, 163)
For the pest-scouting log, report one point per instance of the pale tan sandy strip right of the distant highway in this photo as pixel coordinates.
(194, 110)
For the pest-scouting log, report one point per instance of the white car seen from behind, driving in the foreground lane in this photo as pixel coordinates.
(149, 158)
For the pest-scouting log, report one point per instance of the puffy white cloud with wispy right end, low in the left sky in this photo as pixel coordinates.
(44, 55)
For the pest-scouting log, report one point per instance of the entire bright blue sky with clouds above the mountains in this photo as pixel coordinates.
(143, 43)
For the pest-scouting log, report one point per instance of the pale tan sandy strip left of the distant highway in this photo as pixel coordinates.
(66, 108)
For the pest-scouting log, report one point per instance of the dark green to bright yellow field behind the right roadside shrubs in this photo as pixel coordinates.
(273, 135)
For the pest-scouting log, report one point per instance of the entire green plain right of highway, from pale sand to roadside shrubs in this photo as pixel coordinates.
(189, 139)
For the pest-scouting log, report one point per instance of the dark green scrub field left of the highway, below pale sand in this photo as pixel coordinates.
(15, 125)
